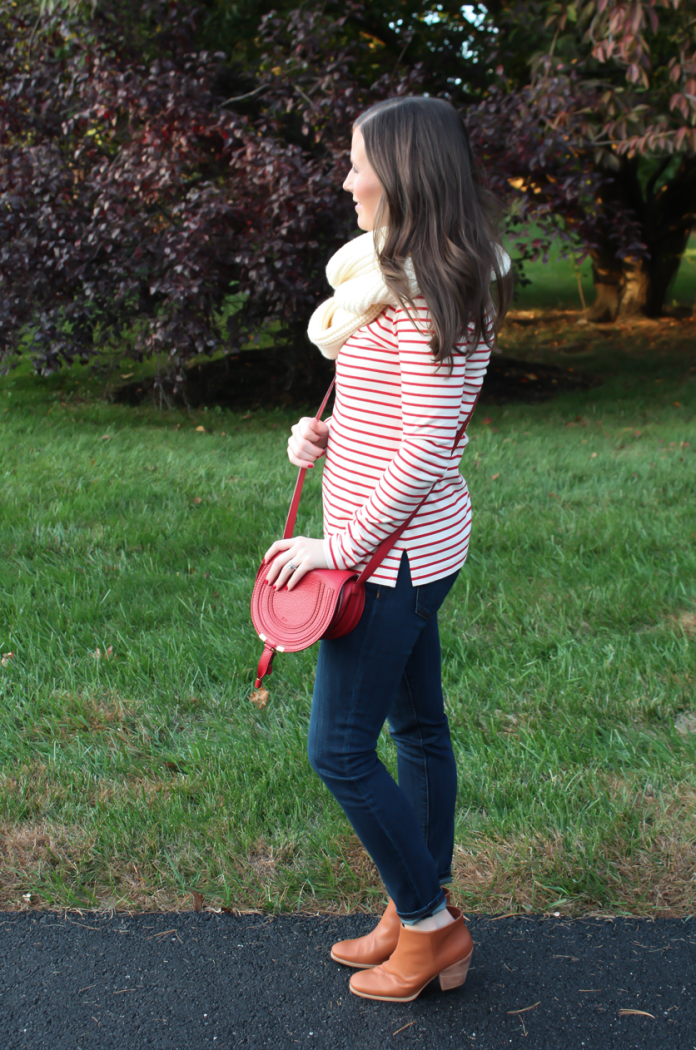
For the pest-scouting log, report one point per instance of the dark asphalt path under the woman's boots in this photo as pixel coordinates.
(206, 982)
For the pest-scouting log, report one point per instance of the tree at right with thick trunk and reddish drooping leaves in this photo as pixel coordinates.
(628, 72)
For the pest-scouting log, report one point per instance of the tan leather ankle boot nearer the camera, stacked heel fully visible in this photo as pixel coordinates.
(418, 959)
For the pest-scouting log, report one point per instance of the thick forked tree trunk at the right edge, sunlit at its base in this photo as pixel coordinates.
(636, 287)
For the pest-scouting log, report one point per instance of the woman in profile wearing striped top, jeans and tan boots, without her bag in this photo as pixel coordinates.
(411, 327)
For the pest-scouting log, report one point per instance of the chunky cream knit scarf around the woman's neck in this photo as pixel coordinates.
(361, 296)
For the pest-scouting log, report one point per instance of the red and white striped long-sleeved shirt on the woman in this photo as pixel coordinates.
(391, 440)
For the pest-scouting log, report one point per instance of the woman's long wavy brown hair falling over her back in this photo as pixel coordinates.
(436, 212)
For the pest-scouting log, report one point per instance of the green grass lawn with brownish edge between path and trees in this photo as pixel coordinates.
(134, 769)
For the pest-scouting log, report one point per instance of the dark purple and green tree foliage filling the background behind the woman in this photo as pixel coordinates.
(156, 156)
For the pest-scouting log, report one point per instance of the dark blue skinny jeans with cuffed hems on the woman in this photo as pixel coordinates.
(388, 669)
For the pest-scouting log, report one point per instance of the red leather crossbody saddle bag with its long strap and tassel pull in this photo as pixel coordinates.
(326, 603)
